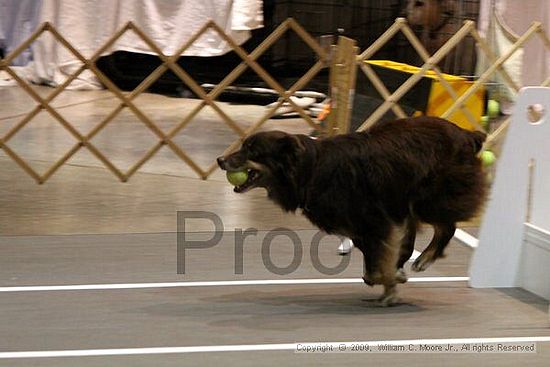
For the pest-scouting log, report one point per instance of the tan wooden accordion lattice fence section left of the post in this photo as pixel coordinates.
(126, 100)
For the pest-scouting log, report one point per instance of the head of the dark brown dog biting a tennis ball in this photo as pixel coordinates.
(270, 158)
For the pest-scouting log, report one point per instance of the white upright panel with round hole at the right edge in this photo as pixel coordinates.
(514, 240)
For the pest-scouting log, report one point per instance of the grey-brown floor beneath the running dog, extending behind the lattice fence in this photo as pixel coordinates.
(85, 227)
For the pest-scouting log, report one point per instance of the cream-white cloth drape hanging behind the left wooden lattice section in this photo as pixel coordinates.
(87, 24)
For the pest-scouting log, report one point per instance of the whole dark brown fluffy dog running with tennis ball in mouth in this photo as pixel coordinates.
(373, 187)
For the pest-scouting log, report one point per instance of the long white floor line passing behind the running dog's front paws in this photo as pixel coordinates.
(222, 283)
